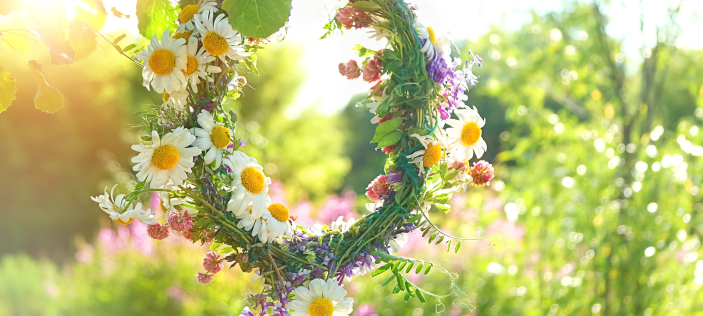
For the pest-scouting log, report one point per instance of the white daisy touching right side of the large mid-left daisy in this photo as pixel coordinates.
(213, 137)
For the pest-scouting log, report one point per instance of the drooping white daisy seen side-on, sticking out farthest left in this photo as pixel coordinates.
(121, 211)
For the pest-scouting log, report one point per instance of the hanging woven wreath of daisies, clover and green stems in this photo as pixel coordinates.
(214, 193)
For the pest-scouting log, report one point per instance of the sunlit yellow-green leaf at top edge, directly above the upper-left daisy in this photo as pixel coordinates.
(155, 17)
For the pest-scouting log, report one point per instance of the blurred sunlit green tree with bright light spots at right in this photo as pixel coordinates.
(610, 202)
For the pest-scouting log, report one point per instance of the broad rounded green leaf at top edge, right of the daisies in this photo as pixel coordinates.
(257, 18)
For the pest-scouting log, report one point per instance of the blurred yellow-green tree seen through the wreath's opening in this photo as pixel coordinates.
(306, 153)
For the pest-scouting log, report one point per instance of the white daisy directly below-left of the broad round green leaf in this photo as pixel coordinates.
(219, 39)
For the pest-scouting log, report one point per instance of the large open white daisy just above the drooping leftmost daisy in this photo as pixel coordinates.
(165, 159)
